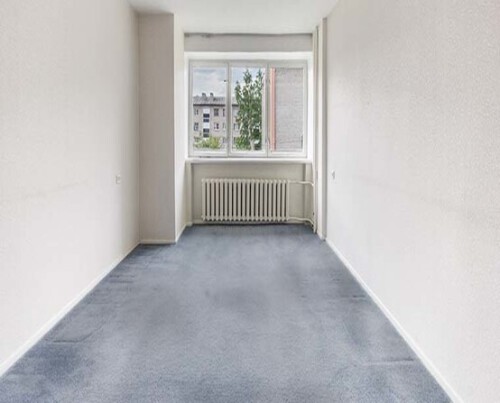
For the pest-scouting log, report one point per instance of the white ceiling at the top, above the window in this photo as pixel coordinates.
(242, 16)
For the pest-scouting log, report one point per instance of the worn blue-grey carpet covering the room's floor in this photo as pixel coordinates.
(229, 314)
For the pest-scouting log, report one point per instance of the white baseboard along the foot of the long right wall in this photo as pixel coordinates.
(406, 336)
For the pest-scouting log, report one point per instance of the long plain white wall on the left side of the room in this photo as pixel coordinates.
(68, 125)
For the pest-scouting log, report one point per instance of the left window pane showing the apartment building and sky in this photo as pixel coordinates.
(208, 97)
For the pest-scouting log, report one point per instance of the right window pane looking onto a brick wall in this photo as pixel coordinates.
(286, 98)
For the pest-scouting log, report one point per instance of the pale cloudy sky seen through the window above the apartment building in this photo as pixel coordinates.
(213, 79)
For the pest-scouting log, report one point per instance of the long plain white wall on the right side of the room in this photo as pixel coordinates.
(413, 127)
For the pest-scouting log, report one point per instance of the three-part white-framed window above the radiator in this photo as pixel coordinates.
(266, 104)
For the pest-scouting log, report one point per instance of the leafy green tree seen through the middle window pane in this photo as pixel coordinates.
(249, 118)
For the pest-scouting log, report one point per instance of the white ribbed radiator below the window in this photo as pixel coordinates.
(245, 200)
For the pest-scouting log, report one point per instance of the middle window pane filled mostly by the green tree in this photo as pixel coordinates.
(247, 89)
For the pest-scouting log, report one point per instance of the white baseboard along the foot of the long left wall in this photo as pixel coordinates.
(10, 361)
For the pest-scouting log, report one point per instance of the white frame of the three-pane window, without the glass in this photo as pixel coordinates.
(228, 152)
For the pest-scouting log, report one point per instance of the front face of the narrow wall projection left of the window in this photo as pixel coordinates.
(157, 128)
